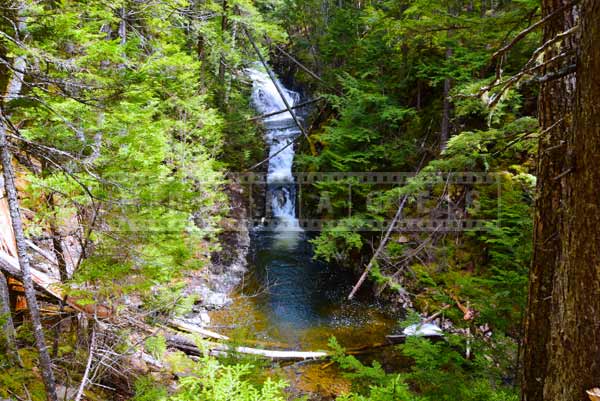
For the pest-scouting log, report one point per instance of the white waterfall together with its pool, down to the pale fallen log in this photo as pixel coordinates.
(299, 297)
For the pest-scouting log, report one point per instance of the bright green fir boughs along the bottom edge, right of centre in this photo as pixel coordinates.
(439, 372)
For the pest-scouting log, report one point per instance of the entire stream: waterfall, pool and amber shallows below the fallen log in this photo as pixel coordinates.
(289, 300)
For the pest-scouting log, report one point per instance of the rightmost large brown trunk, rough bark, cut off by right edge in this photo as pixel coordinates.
(574, 342)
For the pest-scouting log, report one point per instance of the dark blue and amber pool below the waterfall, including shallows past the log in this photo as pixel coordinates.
(290, 301)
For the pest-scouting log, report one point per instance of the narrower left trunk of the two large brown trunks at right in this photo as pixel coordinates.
(555, 101)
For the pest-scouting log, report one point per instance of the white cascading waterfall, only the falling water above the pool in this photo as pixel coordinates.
(281, 129)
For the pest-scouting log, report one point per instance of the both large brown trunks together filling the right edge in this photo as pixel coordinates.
(562, 341)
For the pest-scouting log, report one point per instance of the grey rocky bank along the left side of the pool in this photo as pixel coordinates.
(227, 267)
